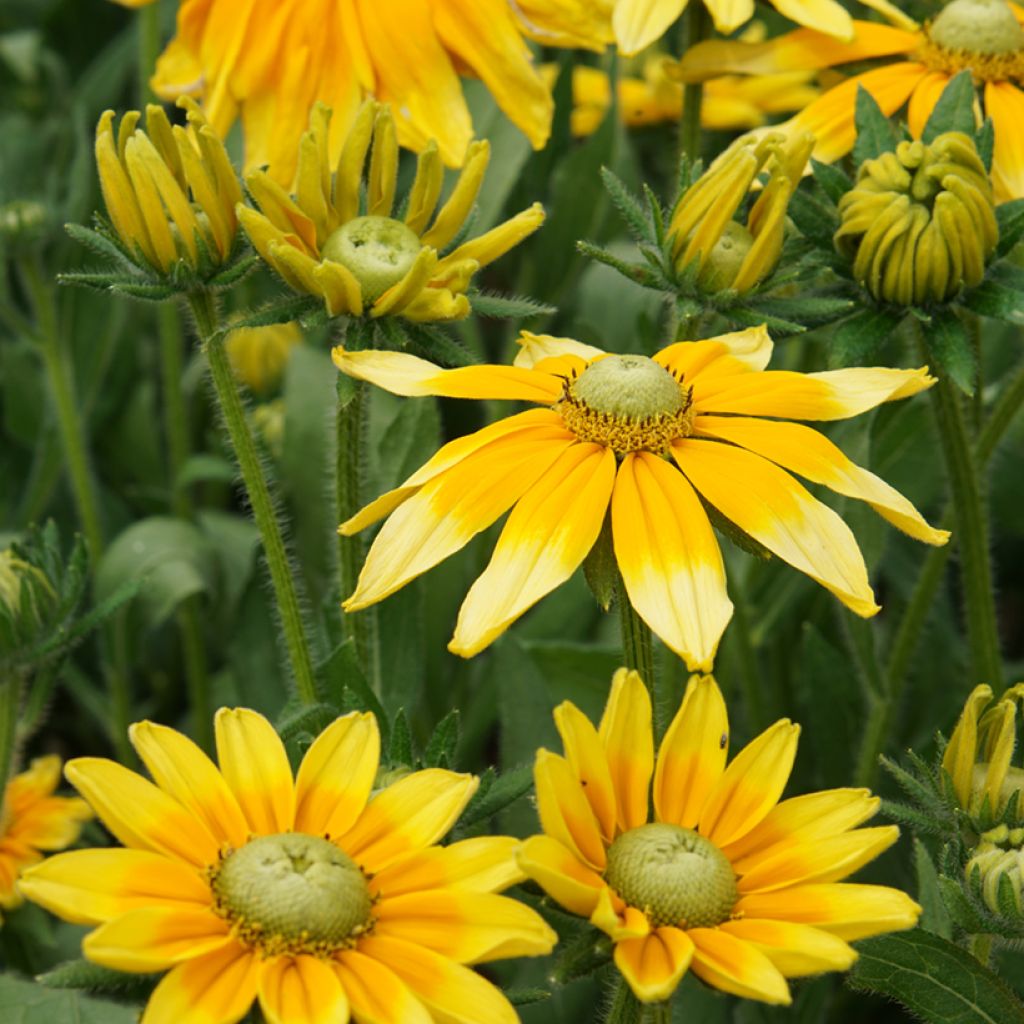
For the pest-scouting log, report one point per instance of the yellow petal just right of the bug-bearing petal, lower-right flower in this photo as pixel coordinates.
(751, 786)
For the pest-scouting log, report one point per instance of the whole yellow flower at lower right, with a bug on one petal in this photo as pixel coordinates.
(690, 865)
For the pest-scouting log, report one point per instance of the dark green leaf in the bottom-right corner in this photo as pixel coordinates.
(934, 979)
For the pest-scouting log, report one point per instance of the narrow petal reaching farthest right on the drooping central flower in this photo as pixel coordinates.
(804, 451)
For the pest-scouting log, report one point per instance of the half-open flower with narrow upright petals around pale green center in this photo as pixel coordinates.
(374, 264)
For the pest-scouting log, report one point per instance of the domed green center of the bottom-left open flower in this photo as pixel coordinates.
(293, 893)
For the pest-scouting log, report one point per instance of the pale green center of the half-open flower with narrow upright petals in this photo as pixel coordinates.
(379, 251)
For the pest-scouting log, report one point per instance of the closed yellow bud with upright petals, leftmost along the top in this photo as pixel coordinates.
(170, 193)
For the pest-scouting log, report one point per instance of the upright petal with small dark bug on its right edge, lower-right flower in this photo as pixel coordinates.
(693, 755)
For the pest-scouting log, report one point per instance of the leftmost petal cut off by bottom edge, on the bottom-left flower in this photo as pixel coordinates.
(218, 989)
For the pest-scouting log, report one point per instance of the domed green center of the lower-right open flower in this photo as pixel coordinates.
(673, 875)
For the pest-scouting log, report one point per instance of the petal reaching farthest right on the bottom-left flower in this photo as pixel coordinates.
(470, 928)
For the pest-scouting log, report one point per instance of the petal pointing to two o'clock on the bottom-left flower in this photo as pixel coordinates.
(411, 815)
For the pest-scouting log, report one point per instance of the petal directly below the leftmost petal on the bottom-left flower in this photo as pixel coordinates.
(156, 938)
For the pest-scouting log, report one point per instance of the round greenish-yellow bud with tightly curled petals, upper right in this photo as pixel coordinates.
(920, 225)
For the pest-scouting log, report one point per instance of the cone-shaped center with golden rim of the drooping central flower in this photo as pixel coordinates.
(628, 404)
